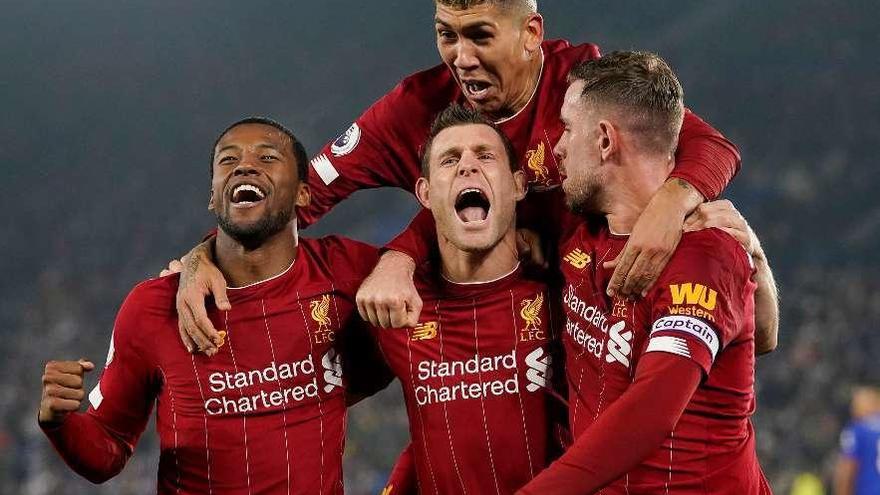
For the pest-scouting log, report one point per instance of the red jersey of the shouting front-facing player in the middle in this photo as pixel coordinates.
(476, 378)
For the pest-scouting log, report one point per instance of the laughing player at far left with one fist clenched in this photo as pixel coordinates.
(267, 413)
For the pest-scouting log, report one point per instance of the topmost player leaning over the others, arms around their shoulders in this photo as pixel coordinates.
(495, 60)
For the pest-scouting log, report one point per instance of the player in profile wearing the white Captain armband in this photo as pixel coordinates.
(661, 388)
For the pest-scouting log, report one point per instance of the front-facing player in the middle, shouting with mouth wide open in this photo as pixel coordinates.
(476, 369)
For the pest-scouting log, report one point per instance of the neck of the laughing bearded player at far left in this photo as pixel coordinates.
(243, 266)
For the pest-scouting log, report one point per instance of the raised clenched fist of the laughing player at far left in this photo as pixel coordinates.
(62, 389)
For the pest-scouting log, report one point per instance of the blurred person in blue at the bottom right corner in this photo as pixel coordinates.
(858, 469)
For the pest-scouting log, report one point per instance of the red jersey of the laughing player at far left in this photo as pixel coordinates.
(266, 414)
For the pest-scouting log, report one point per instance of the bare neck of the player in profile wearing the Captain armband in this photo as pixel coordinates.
(640, 178)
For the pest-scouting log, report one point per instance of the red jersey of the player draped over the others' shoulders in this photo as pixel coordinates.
(381, 148)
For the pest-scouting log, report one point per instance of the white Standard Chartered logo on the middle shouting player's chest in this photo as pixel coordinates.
(477, 377)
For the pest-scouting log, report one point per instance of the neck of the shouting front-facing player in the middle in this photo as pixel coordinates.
(463, 267)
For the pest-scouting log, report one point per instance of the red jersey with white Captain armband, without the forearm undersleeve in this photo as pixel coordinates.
(701, 308)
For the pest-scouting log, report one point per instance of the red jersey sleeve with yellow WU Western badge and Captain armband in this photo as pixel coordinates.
(700, 302)
